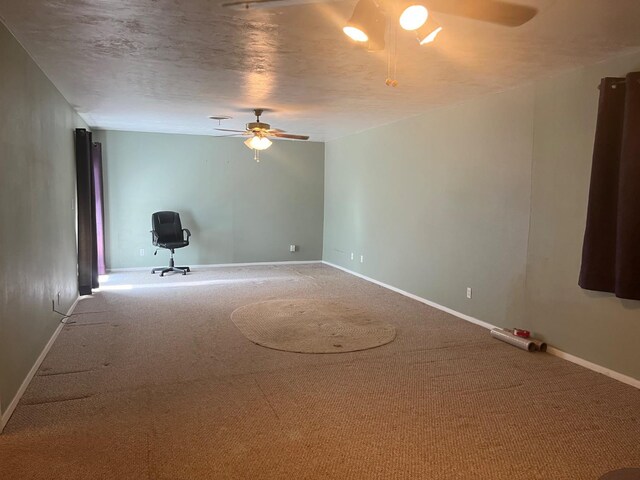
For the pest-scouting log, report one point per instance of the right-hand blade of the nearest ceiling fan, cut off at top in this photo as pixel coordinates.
(493, 11)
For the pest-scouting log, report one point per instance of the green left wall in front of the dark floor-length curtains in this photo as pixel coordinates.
(37, 201)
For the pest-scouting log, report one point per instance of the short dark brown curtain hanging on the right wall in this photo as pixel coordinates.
(611, 249)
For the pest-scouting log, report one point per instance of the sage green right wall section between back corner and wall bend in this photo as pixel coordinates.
(438, 203)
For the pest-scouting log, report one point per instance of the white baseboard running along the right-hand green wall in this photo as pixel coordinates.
(634, 382)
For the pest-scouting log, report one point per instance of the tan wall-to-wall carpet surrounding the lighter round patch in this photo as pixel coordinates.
(154, 381)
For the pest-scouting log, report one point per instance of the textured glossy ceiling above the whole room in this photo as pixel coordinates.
(166, 65)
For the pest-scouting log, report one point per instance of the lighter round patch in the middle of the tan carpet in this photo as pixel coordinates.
(312, 326)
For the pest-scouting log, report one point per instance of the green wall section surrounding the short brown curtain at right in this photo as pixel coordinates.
(595, 326)
